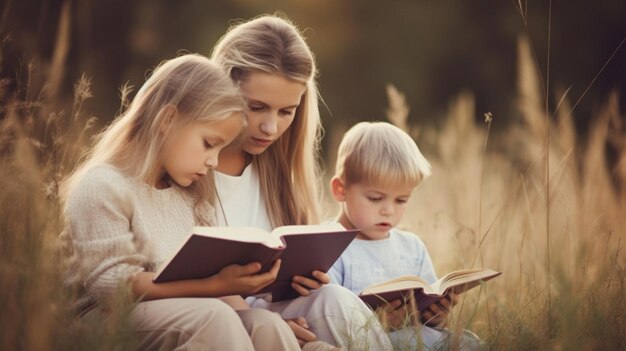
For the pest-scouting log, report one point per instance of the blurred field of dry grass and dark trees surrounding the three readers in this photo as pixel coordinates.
(518, 105)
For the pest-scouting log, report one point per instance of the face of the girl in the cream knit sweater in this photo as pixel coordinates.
(195, 148)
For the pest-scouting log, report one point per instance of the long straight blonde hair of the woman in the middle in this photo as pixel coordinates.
(288, 170)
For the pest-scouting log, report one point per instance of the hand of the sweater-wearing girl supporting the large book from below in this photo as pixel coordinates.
(243, 280)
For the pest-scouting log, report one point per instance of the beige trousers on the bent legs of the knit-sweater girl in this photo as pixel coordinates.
(208, 324)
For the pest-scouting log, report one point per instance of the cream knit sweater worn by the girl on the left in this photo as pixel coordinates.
(117, 226)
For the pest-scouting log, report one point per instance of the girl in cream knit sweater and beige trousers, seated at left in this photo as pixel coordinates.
(134, 199)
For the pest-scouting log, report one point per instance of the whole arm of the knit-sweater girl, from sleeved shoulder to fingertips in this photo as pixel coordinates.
(105, 247)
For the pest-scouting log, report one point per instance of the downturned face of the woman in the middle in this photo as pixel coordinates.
(272, 102)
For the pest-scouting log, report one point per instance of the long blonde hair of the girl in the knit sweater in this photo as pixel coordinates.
(187, 89)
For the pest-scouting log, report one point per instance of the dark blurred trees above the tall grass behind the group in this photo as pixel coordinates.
(430, 50)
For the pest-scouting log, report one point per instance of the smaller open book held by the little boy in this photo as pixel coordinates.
(425, 294)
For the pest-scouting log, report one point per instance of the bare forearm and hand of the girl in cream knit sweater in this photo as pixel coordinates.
(231, 280)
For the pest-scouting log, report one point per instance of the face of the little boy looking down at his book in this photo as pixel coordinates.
(372, 209)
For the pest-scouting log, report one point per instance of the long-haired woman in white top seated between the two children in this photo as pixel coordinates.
(269, 177)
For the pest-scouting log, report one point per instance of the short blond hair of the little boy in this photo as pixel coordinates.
(379, 153)
